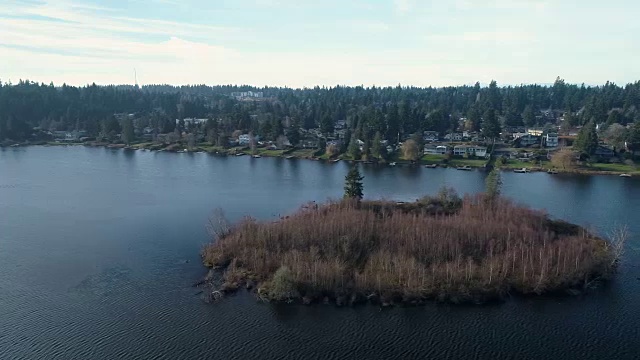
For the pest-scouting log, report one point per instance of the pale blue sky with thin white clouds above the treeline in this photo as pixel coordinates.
(304, 43)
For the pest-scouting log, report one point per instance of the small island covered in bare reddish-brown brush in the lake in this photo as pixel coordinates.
(444, 248)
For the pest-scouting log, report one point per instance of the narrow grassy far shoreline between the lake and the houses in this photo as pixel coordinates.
(309, 154)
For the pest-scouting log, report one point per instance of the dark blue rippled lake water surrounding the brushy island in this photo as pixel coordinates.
(99, 248)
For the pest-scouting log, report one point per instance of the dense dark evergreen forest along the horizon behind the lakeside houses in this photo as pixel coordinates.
(391, 111)
